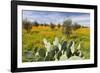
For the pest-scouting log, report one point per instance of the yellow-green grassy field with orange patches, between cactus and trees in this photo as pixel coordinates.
(35, 38)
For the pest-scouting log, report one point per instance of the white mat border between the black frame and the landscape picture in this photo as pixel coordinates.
(53, 63)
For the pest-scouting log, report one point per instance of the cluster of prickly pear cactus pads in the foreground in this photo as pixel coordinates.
(57, 51)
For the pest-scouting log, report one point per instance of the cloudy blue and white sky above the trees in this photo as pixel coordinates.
(56, 17)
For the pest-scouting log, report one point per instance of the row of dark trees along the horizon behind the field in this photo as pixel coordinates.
(67, 26)
